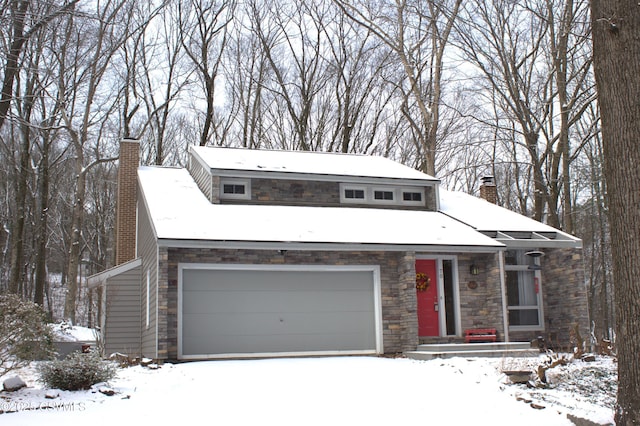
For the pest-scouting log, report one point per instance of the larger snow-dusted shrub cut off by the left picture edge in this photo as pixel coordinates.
(24, 333)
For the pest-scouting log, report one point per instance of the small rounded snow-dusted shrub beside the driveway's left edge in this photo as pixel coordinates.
(77, 371)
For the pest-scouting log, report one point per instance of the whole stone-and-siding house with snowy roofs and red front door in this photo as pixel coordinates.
(255, 253)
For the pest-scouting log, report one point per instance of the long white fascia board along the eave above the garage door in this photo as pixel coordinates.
(283, 245)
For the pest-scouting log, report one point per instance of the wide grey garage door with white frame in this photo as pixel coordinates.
(285, 310)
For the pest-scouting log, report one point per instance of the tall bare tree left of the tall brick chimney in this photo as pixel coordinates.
(84, 61)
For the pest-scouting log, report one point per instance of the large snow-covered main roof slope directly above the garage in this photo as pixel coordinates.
(179, 211)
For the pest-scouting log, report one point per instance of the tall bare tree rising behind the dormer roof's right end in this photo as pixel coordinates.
(418, 33)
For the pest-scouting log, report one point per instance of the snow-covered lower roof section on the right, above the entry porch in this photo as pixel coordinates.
(502, 224)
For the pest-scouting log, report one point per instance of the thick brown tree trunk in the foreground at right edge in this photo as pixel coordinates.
(616, 54)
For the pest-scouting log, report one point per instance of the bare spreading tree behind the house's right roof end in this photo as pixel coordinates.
(535, 63)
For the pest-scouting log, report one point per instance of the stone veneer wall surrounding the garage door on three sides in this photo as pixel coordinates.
(397, 276)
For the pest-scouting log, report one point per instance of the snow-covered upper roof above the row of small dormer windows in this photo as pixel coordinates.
(306, 162)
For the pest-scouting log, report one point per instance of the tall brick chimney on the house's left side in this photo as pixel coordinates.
(126, 201)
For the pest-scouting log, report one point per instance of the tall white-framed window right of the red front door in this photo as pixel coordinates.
(523, 291)
